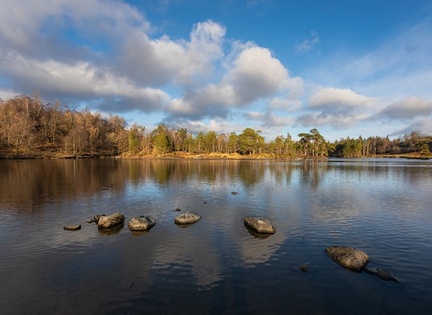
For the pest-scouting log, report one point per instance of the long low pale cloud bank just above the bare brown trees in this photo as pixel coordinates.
(79, 78)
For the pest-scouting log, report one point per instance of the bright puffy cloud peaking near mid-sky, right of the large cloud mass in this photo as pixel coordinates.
(254, 74)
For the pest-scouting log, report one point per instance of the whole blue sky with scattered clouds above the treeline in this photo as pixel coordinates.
(349, 68)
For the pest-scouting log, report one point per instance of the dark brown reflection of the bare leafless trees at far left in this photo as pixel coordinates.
(30, 183)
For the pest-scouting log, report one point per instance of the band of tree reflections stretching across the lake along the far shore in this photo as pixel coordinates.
(32, 182)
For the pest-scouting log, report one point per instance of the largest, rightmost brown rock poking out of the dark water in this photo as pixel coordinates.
(348, 257)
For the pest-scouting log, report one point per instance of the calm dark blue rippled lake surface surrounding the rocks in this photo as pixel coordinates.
(216, 266)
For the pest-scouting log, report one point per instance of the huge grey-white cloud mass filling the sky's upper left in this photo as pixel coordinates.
(35, 55)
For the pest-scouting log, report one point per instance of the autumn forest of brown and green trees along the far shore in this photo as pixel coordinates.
(32, 129)
